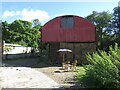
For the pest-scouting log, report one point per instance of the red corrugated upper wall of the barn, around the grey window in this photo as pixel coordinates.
(83, 31)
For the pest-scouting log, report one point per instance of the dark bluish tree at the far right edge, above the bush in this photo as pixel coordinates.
(114, 27)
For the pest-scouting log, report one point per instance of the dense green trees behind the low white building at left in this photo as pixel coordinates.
(21, 32)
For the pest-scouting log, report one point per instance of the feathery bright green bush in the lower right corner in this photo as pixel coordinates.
(104, 69)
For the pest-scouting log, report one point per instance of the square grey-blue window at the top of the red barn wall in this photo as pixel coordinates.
(67, 22)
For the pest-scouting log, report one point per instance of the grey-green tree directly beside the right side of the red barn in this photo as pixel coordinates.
(101, 20)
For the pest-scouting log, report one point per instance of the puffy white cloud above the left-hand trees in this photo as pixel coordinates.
(28, 15)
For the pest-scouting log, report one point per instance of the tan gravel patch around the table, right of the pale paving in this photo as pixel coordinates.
(65, 79)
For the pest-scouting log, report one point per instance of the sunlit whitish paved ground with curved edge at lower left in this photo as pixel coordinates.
(22, 77)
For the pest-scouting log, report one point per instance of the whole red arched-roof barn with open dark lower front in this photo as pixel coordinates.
(72, 32)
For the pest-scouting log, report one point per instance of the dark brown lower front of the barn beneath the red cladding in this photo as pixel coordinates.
(79, 51)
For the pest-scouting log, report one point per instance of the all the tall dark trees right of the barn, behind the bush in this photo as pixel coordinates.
(107, 27)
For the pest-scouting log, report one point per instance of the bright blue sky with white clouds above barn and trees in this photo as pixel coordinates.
(45, 11)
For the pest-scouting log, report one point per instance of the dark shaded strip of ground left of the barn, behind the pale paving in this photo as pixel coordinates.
(33, 62)
